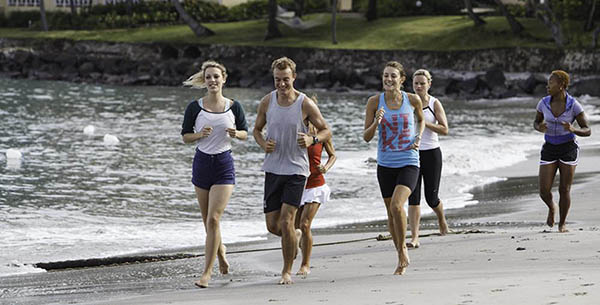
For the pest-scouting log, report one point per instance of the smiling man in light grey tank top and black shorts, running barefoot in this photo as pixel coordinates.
(283, 112)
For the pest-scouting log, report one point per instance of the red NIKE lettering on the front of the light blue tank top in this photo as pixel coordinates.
(395, 138)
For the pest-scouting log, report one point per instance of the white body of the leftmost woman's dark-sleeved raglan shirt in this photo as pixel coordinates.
(218, 141)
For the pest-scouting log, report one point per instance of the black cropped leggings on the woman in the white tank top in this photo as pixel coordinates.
(431, 172)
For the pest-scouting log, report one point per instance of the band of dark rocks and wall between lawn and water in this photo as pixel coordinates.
(492, 73)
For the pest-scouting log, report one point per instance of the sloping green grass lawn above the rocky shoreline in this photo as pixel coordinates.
(409, 33)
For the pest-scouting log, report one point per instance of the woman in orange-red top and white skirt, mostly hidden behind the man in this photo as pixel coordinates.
(316, 192)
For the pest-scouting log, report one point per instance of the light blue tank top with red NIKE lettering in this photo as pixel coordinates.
(396, 134)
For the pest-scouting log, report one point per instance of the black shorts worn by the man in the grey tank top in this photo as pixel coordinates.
(281, 189)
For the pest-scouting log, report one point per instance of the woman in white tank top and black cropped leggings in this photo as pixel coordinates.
(430, 158)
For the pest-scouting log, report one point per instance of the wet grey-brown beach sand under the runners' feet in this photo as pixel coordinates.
(499, 253)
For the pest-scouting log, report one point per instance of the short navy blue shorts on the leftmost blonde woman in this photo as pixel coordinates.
(209, 170)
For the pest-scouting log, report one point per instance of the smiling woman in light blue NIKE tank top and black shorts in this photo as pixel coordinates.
(393, 114)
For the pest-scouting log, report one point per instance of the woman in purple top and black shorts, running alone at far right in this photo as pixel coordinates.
(555, 116)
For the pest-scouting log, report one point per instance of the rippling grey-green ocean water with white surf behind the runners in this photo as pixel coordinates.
(73, 197)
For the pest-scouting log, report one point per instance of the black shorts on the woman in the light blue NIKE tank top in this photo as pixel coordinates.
(389, 177)
